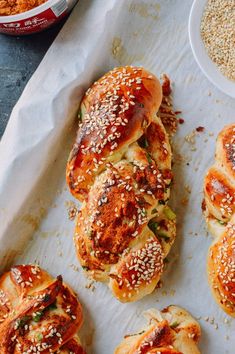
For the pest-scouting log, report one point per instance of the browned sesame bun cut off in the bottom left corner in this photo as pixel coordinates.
(38, 314)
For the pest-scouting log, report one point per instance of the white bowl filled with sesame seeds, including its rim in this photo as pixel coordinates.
(216, 64)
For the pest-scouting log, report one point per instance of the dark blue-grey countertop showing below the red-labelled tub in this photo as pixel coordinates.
(19, 58)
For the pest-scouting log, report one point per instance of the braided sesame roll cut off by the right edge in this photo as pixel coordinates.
(219, 210)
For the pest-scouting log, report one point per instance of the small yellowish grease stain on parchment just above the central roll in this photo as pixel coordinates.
(120, 53)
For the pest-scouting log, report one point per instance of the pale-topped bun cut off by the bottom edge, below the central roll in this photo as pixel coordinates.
(170, 331)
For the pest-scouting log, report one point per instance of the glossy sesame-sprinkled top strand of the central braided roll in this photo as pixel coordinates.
(115, 111)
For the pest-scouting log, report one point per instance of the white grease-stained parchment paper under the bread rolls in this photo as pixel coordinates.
(34, 224)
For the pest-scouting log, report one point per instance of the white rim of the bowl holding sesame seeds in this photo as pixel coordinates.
(199, 51)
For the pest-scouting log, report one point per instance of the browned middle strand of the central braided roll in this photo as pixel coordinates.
(117, 209)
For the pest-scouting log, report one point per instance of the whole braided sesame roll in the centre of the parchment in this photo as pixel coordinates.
(120, 168)
